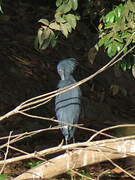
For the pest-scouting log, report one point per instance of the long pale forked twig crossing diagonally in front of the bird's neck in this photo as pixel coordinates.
(45, 97)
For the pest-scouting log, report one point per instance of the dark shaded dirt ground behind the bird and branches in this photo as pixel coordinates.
(25, 73)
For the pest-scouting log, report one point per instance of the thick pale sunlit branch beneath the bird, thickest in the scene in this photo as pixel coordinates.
(90, 153)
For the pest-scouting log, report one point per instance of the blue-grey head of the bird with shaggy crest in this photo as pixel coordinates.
(66, 67)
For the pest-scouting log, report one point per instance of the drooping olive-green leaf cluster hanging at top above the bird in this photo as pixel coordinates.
(64, 22)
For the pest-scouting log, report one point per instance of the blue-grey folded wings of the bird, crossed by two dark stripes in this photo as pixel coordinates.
(67, 106)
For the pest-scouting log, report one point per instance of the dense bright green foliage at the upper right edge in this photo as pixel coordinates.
(118, 30)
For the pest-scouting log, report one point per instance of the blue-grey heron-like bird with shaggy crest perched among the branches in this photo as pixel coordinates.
(67, 104)
